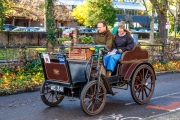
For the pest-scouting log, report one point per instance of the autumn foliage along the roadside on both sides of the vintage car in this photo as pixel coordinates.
(28, 77)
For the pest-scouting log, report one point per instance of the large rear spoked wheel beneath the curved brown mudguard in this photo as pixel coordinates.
(142, 84)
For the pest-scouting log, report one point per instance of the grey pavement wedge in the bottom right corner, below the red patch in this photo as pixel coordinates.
(174, 115)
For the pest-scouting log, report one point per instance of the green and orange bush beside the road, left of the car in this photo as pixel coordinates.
(20, 77)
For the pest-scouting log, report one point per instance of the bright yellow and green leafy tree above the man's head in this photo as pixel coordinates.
(92, 11)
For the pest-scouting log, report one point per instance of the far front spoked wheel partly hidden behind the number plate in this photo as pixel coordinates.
(49, 97)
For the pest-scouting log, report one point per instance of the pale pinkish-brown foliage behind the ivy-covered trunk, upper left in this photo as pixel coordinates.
(34, 10)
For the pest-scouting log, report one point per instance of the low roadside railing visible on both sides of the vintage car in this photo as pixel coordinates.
(161, 52)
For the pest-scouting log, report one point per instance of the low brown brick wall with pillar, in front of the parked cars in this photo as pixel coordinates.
(39, 38)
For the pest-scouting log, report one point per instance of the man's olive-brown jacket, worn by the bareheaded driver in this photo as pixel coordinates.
(105, 38)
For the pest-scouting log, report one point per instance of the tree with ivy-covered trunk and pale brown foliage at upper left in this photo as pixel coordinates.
(34, 10)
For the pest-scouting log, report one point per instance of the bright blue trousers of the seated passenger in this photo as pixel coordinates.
(110, 61)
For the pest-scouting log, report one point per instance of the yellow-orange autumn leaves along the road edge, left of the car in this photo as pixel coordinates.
(20, 79)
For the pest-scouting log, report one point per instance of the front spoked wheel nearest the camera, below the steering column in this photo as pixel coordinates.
(92, 101)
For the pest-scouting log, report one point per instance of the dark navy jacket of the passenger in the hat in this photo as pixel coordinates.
(124, 43)
